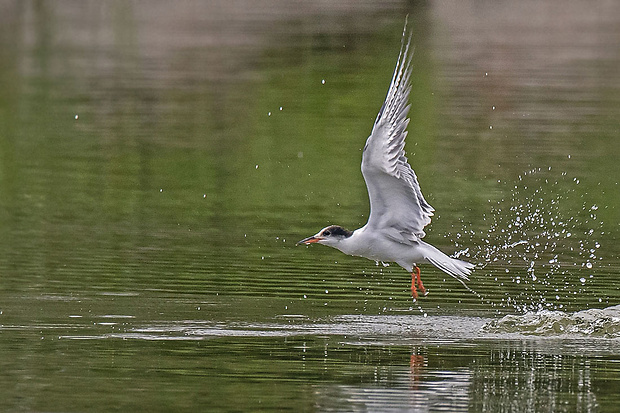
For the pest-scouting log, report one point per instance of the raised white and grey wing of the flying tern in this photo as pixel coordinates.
(397, 207)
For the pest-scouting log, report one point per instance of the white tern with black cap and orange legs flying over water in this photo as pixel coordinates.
(398, 210)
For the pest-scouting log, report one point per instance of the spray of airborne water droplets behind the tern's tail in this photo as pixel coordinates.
(542, 240)
